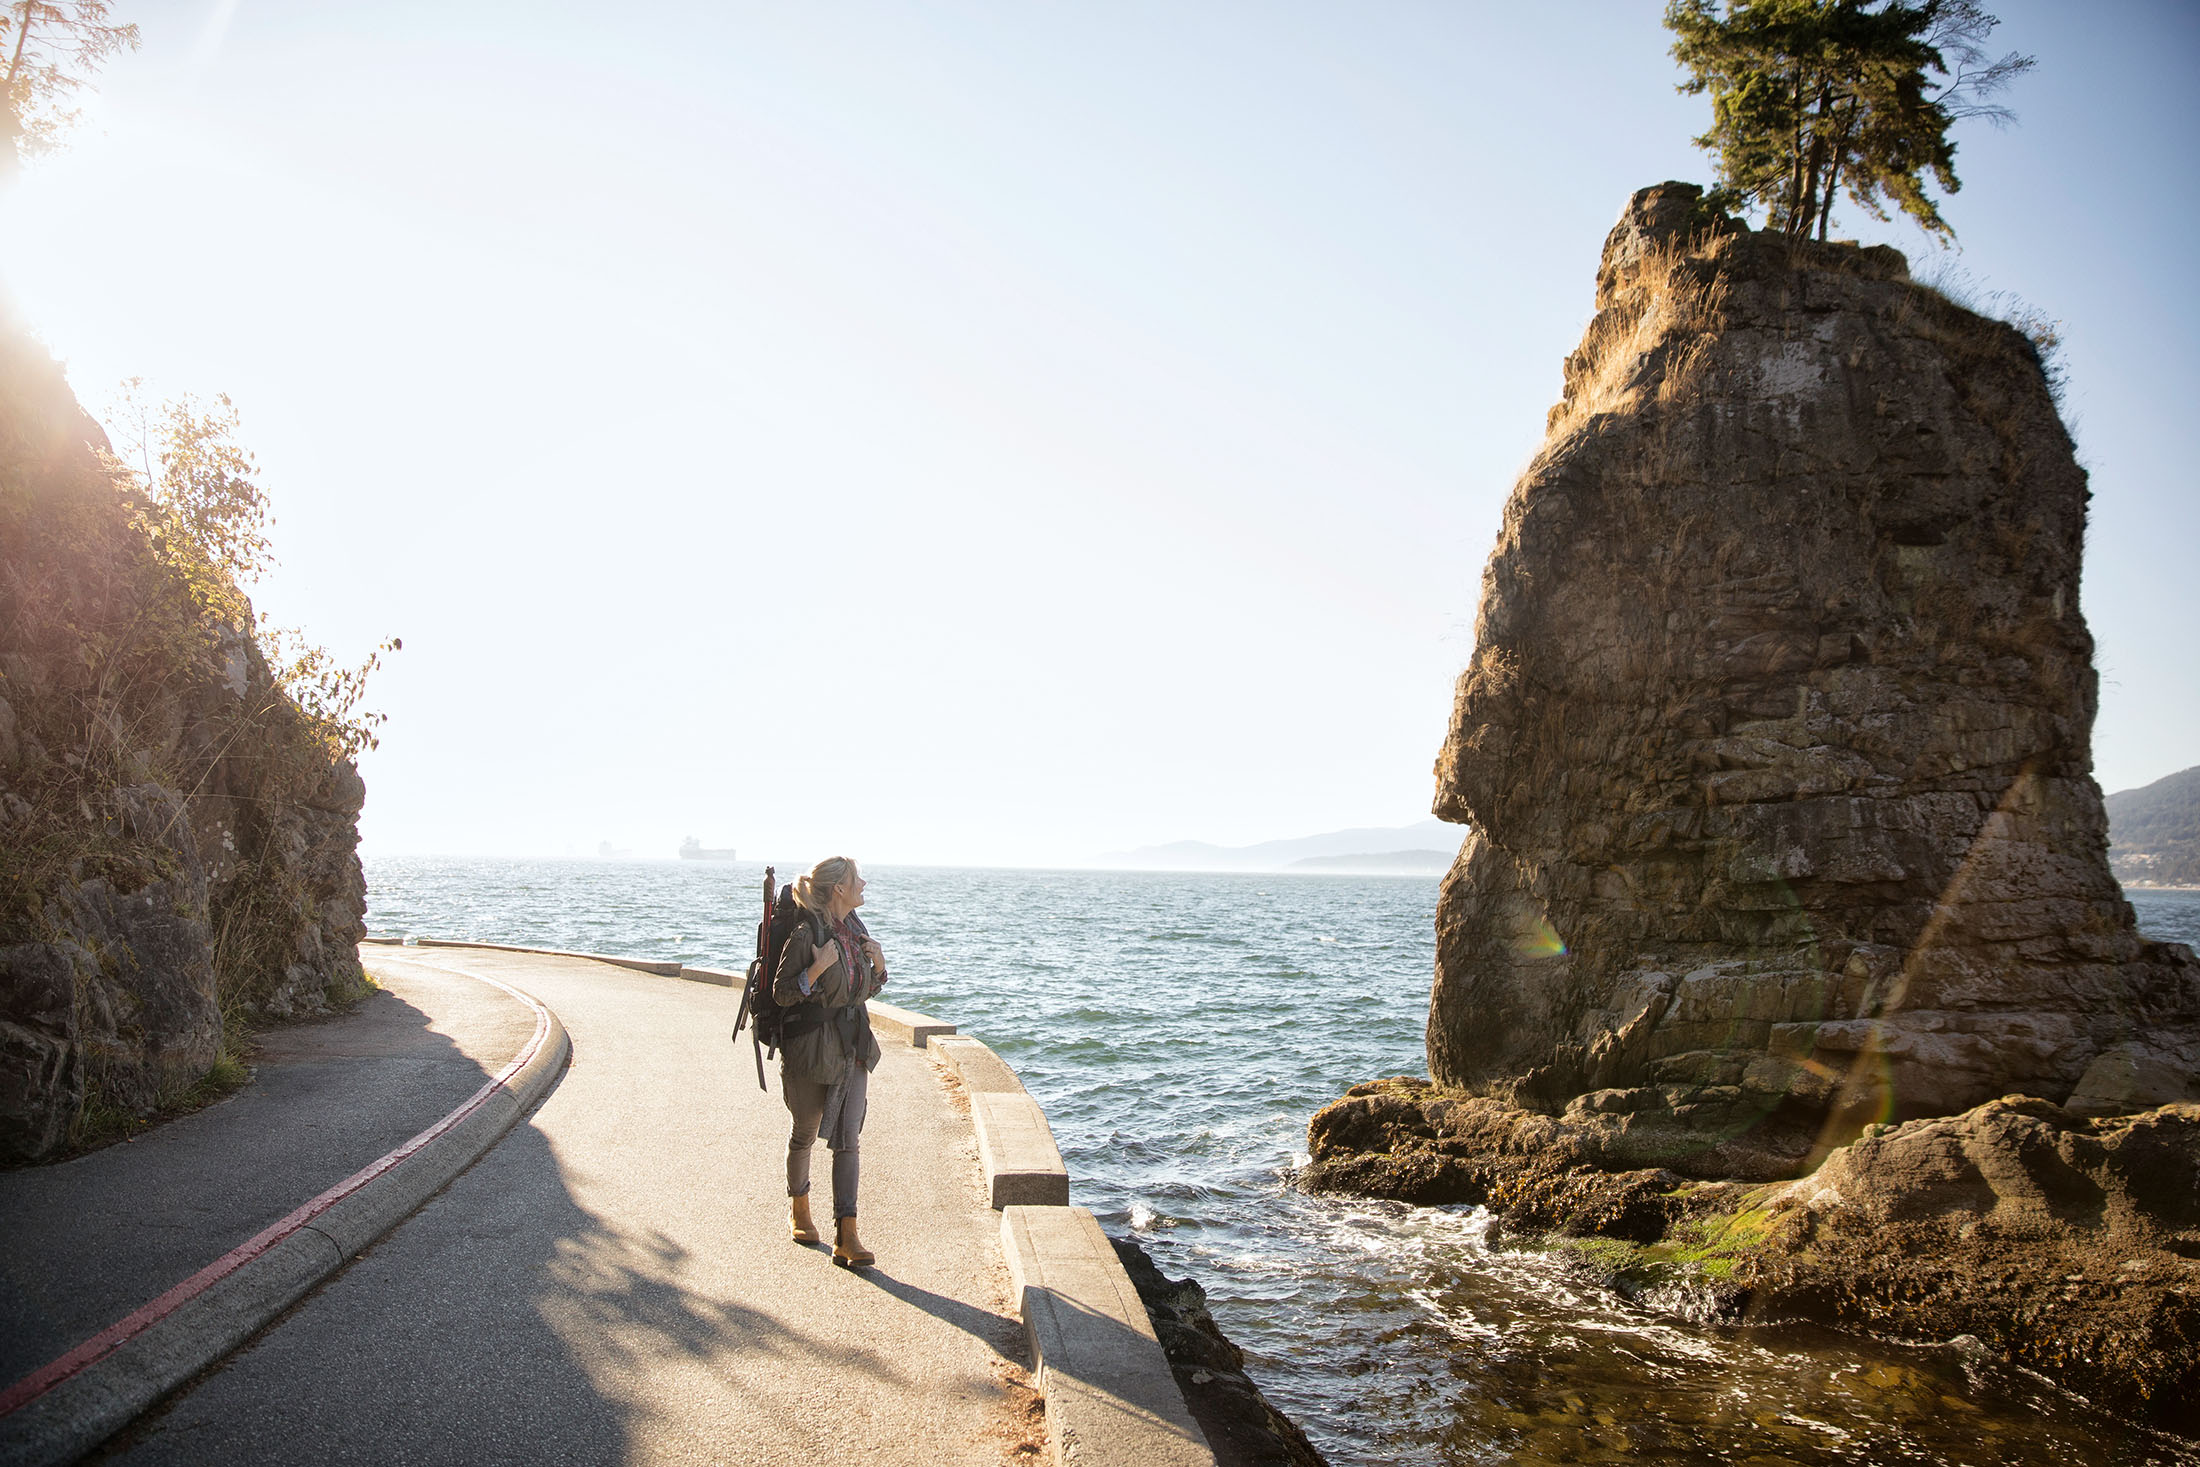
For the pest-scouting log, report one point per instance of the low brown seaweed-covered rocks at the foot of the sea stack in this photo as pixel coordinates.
(2056, 1242)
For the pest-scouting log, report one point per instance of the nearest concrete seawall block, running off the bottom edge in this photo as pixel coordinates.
(1112, 1398)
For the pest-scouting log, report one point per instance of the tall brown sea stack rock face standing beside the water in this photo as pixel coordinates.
(1776, 738)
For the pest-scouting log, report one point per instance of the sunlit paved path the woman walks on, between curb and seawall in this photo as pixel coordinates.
(613, 1283)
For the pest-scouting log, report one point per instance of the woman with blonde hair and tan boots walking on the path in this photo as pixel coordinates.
(826, 971)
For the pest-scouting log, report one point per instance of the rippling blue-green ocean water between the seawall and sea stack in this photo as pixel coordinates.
(1180, 1033)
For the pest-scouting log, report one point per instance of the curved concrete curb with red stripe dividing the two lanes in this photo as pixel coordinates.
(74, 1404)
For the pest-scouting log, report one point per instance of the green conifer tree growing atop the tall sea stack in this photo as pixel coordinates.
(1812, 98)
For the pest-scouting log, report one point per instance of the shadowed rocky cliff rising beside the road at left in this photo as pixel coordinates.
(177, 839)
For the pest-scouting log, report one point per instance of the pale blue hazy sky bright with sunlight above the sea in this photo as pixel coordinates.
(987, 432)
